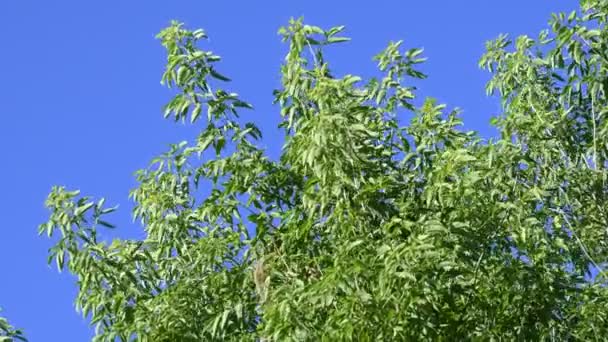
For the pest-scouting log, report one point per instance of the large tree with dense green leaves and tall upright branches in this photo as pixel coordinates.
(365, 228)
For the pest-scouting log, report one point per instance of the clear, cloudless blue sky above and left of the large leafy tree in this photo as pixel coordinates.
(80, 101)
